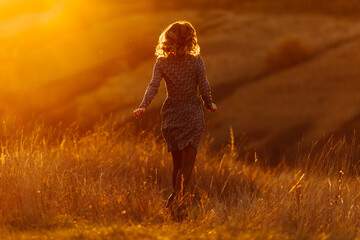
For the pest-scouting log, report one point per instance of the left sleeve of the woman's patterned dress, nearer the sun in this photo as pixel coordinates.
(153, 86)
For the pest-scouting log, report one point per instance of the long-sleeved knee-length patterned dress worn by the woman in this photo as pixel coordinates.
(182, 113)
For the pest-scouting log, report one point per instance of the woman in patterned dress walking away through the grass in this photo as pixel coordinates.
(180, 64)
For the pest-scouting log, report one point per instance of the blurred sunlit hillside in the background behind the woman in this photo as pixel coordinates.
(276, 78)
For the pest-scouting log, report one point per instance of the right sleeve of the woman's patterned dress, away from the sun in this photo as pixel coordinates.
(204, 86)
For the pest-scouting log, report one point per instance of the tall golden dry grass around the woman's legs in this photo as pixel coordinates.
(51, 178)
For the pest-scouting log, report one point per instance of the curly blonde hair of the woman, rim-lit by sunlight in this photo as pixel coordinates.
(178, 39)
